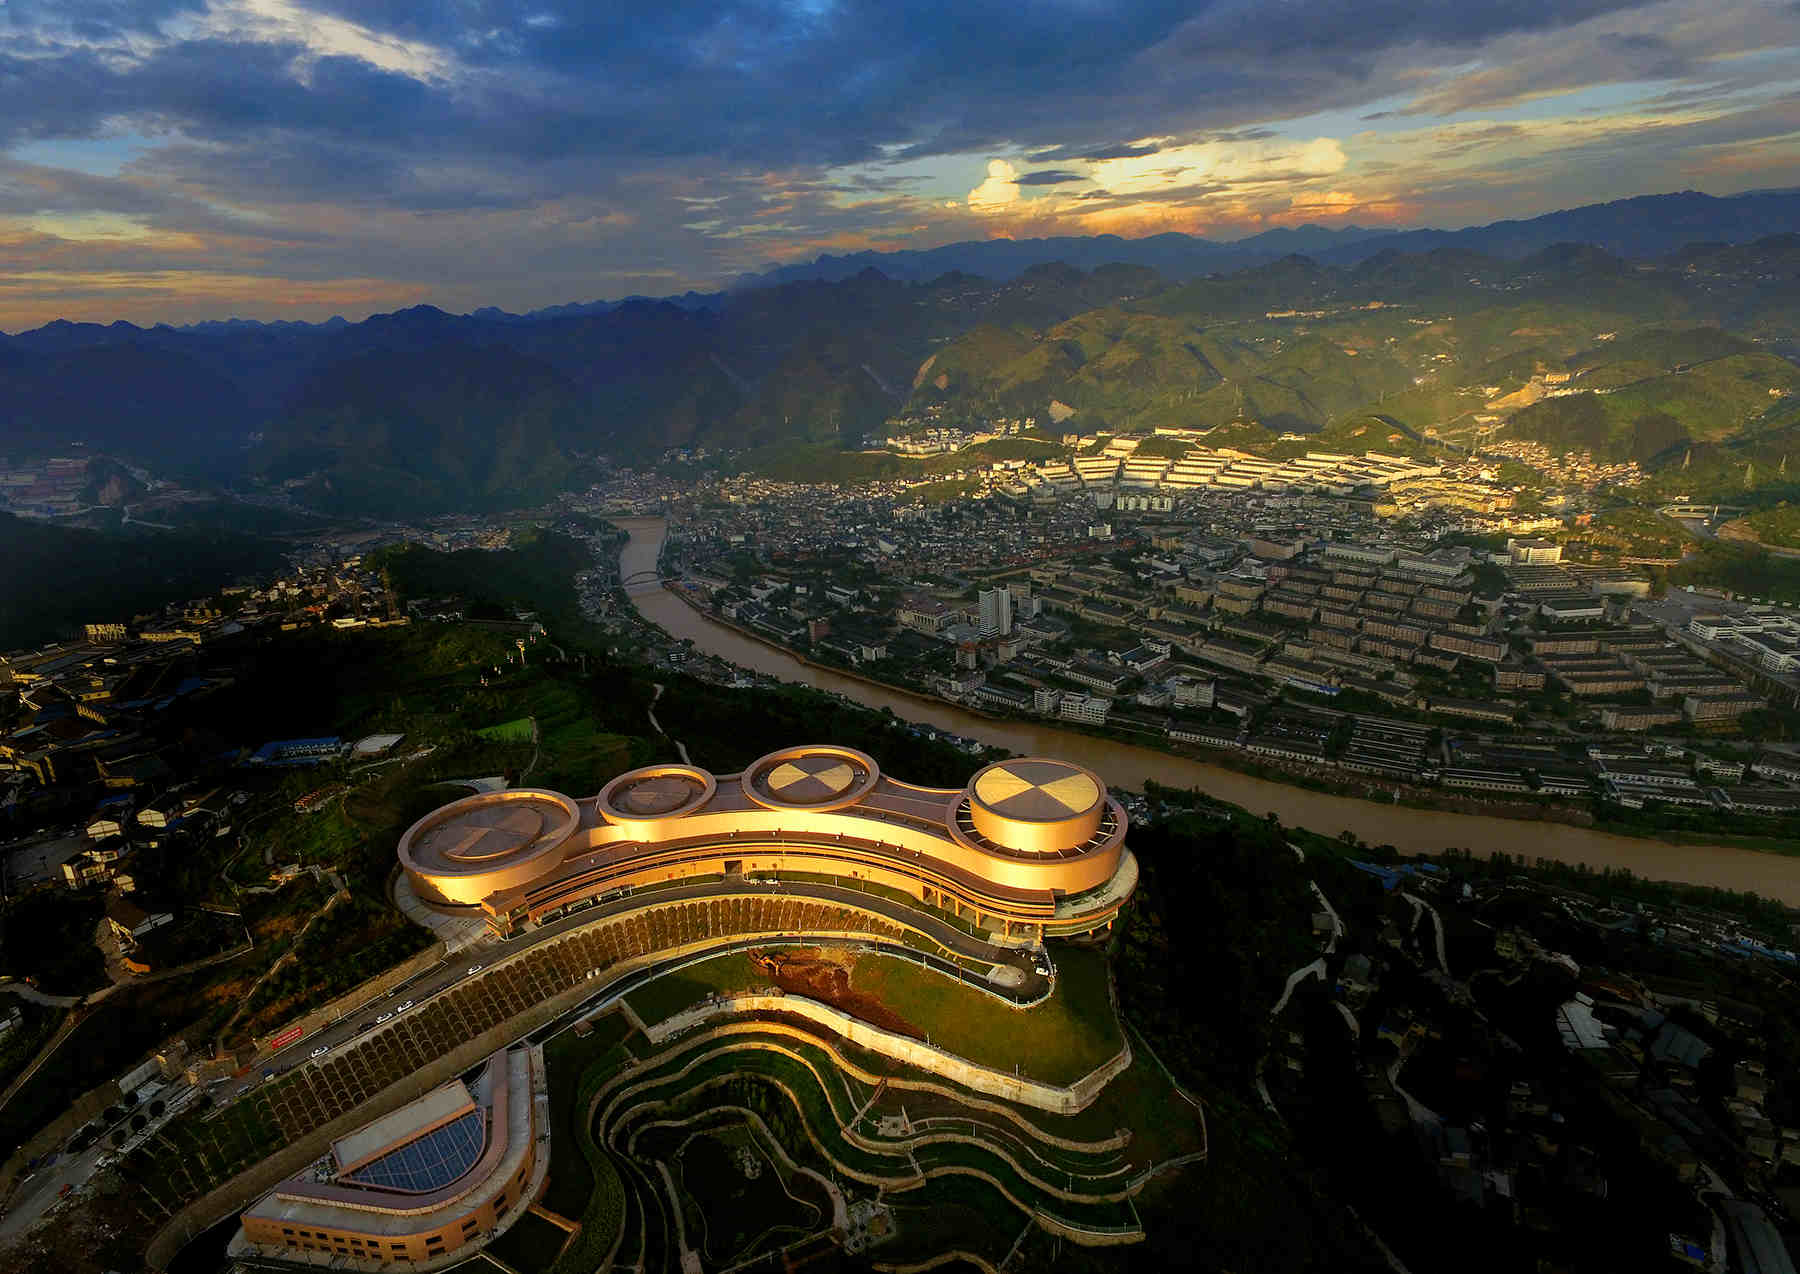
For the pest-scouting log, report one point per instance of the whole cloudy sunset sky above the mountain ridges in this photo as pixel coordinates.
(174, 161)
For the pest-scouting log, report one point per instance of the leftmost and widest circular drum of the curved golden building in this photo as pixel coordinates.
(471, 848)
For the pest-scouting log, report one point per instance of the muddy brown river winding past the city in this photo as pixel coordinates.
(1126, 766)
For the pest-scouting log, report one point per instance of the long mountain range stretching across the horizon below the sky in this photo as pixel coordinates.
(424, 411)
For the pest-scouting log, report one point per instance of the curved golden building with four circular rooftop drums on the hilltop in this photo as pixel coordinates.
(1029, 847)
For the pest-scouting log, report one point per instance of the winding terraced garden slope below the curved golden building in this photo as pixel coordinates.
(960, 1172)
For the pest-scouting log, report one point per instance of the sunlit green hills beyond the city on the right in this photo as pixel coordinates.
(1410, 348)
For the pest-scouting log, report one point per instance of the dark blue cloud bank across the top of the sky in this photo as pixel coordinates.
(748, 82)
